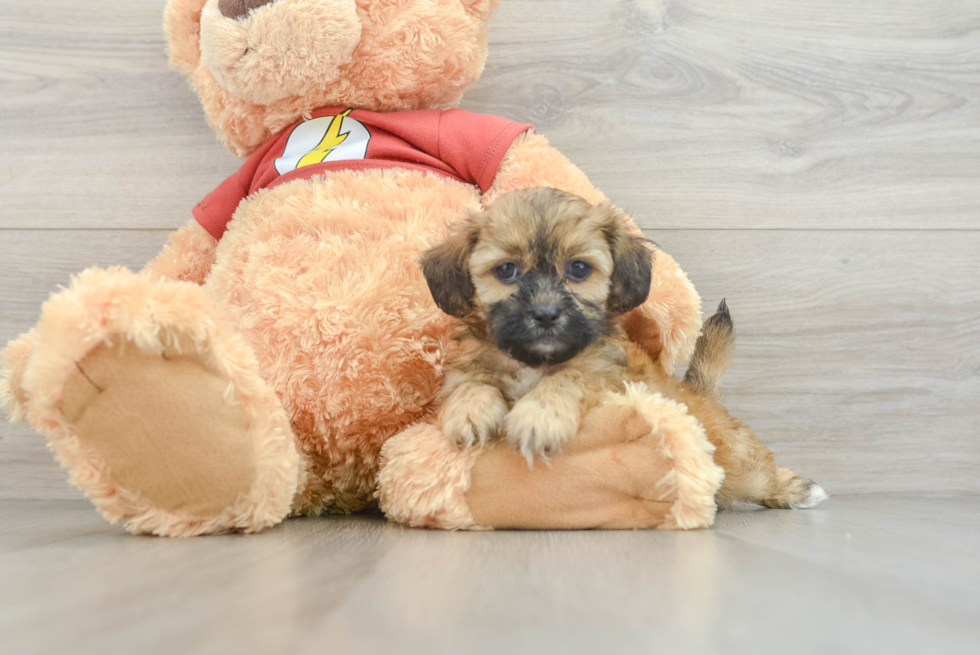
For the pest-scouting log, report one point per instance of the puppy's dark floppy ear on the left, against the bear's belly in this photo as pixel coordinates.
(446, 268)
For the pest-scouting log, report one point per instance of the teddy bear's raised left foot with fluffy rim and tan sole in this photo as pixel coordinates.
(155, 405)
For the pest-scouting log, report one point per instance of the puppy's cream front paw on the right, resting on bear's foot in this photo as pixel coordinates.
(536, 428)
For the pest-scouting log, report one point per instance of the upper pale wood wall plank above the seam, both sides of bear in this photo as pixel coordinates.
(819, 115)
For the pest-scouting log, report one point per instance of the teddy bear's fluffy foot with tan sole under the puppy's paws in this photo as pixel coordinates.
(638, 461)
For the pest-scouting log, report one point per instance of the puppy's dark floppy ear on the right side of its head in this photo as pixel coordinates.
(632, 262)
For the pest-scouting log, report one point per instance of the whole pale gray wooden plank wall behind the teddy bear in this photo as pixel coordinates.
(817, 164)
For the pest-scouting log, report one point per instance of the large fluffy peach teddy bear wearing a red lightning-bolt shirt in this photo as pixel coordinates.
(281, 354)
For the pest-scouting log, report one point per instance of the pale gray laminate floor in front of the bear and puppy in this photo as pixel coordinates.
(862, 574)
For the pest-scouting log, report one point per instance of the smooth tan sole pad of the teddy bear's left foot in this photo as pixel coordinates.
(162, 426)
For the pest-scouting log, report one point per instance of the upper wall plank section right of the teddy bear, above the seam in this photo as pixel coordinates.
(754, 114)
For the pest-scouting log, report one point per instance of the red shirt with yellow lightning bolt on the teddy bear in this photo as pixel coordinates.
(458, 144)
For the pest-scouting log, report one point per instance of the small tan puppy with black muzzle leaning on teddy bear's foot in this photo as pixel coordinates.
(540, 281)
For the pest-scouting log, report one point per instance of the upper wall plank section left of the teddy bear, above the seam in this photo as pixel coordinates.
(97, 131)
